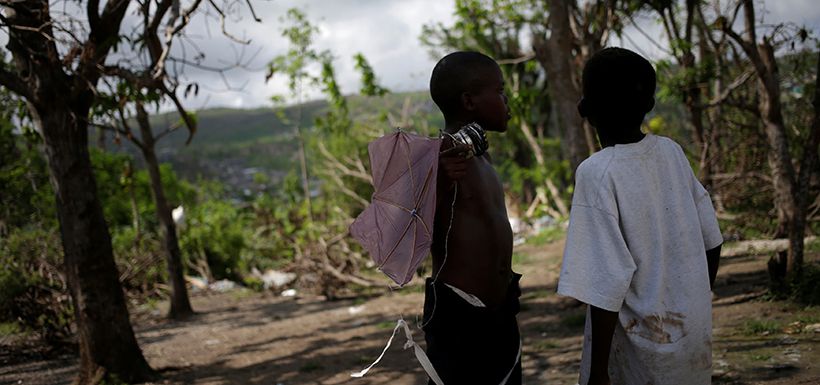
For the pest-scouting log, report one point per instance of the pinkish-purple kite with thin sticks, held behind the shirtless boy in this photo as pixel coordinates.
(397, 227)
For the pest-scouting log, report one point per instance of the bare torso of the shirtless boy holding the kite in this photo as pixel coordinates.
(480, 240)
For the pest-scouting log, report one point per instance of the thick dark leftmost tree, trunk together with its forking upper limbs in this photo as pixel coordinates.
(59, 104)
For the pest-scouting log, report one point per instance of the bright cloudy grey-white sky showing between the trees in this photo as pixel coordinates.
(385, 31)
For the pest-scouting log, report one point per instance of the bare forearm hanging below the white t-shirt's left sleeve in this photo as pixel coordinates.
(603, 326)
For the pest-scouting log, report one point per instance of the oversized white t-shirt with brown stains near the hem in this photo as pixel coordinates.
(639, 229)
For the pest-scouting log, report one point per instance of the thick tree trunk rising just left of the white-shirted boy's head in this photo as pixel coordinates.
(555, 55)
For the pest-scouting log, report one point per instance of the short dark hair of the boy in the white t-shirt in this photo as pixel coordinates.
(620, 78)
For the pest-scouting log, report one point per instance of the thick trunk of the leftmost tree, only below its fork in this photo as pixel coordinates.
(108, 348)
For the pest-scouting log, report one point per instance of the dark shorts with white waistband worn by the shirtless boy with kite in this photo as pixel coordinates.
(472, 345)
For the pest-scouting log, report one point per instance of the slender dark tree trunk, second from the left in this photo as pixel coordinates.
(180, 304)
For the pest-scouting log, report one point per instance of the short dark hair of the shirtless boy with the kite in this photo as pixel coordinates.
(456, 73)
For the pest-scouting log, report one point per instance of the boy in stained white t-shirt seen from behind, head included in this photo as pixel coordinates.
(643, 241)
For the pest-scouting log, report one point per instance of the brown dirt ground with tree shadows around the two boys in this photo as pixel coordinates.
(248, 338)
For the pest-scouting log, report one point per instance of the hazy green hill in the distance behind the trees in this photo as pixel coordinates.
(232, 145)
